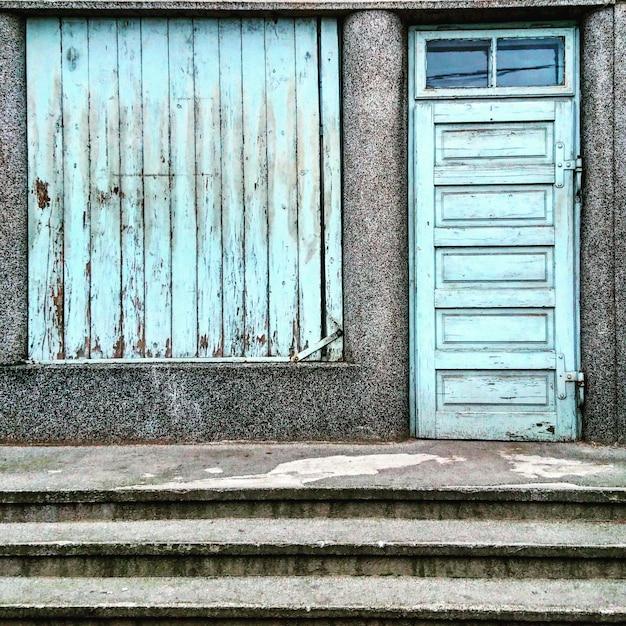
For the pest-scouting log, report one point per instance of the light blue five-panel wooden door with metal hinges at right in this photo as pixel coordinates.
(494, 301)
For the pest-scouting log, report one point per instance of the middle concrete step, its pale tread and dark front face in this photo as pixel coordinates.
(323, 547)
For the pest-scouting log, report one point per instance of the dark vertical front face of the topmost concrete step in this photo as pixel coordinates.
(538, 502)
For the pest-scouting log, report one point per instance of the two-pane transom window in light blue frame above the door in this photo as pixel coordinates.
(494, 62)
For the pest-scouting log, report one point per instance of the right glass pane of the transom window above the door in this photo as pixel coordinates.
(530, 62)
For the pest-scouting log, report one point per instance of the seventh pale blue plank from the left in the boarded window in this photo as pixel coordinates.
(208, 188)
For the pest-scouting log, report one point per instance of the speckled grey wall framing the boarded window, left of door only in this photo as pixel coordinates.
(363, 399)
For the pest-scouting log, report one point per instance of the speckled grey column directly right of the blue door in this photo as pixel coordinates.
(598, 310)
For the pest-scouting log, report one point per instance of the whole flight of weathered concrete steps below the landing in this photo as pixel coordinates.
(239, 552)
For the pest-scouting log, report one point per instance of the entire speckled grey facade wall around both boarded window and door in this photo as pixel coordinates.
(366, 398)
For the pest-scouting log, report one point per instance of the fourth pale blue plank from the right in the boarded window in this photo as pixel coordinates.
(255, 187)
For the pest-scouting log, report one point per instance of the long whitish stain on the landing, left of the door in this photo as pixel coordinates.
(298, 473)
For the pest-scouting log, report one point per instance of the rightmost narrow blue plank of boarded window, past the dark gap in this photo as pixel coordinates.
(331, 176)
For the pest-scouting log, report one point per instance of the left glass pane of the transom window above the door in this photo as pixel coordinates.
(457, 63)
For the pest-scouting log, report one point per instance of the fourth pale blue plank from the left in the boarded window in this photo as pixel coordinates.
(131, 186)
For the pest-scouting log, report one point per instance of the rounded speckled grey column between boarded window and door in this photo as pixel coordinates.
(375, 210)
